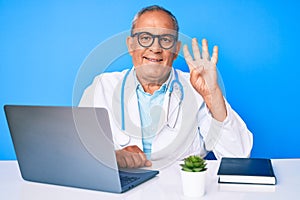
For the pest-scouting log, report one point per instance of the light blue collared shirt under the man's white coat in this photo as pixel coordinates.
(150, 107)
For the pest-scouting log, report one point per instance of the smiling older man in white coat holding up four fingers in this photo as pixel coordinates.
(160, 112)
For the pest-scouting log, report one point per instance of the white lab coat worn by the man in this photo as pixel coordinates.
(195, 131)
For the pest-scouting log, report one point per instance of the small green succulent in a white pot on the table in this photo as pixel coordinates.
(193, 172)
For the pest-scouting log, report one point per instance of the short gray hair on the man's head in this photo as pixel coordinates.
(154, 8)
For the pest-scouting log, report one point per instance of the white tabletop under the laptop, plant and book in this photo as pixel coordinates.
(167, 185)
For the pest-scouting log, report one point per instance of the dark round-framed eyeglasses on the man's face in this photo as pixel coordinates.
(146, 39)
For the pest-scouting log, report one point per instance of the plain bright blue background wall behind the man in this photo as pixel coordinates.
(44, 43)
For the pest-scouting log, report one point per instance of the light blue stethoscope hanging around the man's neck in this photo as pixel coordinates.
(174, 84)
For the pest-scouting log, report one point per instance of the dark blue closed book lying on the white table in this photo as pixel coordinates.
(246, 170)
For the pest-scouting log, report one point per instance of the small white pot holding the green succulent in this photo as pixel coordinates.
(193, 183)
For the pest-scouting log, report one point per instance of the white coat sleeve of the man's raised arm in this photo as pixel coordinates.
(230, 138)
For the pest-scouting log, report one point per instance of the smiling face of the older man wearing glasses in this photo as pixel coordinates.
(153, 63)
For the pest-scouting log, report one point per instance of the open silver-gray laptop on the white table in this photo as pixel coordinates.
(69, 146)
